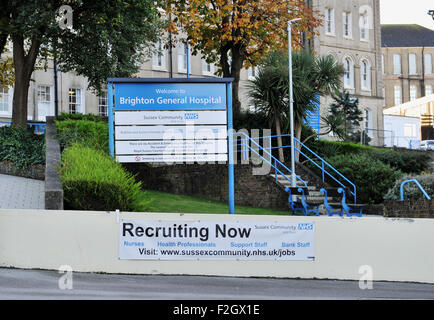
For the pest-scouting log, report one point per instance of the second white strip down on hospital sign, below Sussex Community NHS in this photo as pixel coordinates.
(170, 132)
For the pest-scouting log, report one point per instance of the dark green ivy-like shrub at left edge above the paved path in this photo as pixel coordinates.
(20, 147)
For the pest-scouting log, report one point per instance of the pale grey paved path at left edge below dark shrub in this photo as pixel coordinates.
(21, 193)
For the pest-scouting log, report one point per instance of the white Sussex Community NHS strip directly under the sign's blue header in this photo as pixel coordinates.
(170, 117)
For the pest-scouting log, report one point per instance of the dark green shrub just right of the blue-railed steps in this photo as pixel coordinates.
(372, 178)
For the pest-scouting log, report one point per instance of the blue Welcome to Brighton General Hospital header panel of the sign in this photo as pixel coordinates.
(171, 96)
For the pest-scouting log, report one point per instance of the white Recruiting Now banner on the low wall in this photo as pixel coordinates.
(207, 240)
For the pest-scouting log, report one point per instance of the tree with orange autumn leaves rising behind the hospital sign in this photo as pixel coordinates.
(239, 33)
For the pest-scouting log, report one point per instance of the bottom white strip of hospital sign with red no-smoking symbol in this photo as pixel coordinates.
(169, 159)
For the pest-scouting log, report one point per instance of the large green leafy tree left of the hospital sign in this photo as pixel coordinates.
(106, 40)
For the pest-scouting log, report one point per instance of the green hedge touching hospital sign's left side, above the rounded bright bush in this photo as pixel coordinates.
(91, 133)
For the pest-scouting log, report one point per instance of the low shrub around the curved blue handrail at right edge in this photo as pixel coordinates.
(411, 190)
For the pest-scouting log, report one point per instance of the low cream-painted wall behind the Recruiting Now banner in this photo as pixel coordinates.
(396, 249)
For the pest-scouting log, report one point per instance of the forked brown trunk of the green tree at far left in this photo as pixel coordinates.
(24, 65)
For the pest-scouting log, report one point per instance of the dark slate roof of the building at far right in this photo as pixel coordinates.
(406, 35)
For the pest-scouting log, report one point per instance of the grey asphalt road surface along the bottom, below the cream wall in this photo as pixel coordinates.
(52, 285)
